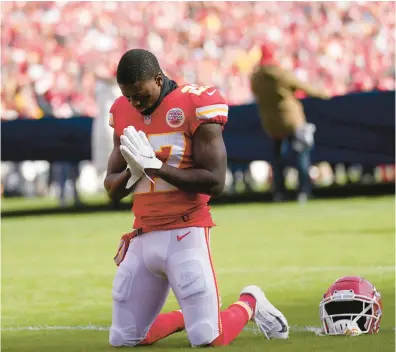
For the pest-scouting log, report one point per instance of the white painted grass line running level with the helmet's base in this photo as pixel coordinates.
(107, 328)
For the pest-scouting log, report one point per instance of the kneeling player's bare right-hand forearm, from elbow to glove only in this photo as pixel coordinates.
(192, 180)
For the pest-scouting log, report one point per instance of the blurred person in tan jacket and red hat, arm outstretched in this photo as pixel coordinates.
(283, 119)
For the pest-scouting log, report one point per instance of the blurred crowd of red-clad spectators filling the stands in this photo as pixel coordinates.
(54, 53)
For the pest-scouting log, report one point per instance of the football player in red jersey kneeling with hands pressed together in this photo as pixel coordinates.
(174, 164)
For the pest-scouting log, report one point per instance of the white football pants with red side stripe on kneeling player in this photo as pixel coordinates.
(155, 262)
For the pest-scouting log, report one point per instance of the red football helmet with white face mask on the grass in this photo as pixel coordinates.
(351, 301)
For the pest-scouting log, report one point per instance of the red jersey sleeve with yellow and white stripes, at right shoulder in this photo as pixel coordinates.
(210, 107)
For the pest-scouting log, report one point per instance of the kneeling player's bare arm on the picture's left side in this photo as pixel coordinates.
(117, 175)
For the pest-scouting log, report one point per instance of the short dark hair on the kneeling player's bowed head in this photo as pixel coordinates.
(137, 65)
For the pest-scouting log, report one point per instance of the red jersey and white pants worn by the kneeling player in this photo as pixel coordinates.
(173, 252)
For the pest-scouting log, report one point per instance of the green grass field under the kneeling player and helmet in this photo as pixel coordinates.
(57, 272)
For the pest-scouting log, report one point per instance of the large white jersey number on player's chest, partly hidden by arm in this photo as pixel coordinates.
(173, 145)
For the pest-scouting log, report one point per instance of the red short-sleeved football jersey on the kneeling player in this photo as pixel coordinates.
(170, 129)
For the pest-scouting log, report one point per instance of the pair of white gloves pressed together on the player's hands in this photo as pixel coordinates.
(137, 151)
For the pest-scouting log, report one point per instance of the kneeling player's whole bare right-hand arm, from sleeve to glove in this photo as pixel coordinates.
(208, 174)
